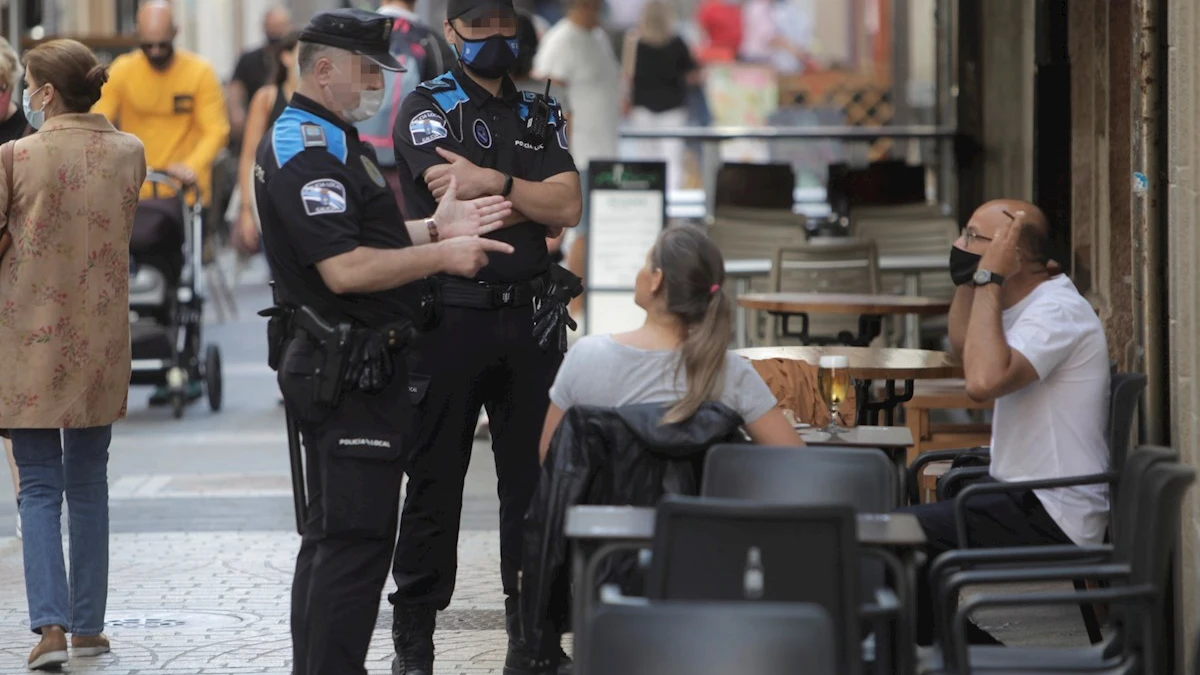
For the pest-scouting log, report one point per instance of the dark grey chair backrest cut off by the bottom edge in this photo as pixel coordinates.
(686, 638)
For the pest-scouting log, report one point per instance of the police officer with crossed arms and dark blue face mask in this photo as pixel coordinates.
(500, 339)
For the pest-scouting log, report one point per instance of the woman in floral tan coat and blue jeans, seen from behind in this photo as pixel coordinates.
(65, 337)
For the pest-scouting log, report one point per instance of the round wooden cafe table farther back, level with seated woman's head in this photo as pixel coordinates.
(871, 310)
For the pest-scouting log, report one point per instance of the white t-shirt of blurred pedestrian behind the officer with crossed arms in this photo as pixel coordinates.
(585, 61)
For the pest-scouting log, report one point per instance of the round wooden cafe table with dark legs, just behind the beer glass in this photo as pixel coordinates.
(868, 365)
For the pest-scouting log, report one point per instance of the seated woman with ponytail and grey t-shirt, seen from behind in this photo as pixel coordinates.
(680, 356)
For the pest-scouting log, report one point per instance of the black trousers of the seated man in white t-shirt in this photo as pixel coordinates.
(1010, 519)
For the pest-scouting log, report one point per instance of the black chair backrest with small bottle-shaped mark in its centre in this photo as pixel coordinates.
(710, 549)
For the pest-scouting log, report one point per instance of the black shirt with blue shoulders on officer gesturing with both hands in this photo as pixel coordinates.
(321, 195)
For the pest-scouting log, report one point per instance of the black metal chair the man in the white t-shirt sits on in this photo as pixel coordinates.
(1126, 390)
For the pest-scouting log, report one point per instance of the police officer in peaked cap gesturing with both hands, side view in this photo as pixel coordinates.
(344, 262)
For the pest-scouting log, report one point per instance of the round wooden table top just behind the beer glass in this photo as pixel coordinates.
(871, 363)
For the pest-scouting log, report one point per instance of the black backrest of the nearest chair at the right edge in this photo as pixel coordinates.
(1162, 512)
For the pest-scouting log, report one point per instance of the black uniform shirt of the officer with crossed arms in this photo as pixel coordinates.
(455, 114)
